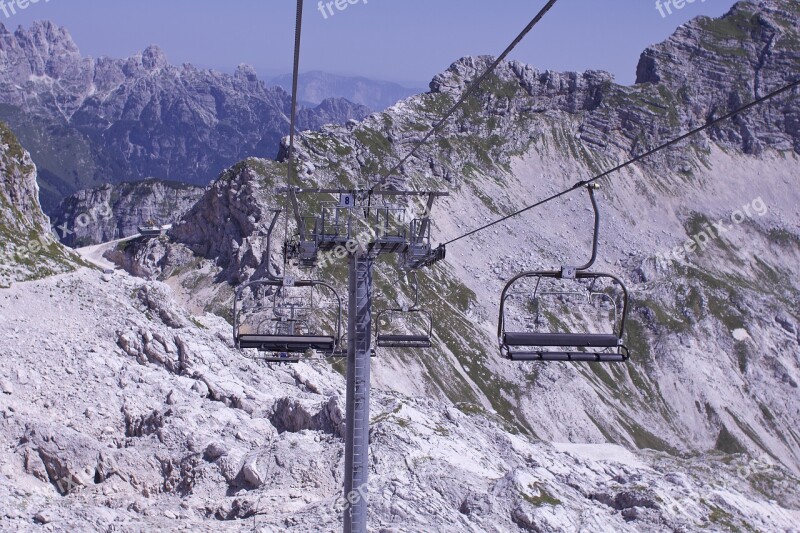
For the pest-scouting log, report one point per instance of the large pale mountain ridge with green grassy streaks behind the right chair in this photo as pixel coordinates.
(528, 134)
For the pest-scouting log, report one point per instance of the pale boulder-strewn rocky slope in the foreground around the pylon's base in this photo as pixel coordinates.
(150, 420)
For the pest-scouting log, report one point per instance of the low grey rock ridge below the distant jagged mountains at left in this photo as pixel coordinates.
(111, 212)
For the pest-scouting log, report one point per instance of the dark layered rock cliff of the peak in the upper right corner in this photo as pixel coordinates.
(714, 66)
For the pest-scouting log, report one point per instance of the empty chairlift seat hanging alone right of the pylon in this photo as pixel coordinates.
(519, 345)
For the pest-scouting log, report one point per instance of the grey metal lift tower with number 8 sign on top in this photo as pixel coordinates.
(356, 228)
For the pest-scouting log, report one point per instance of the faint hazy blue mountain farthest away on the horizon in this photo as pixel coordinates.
(316, 86)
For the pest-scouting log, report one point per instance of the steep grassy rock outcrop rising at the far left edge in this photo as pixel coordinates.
(27, 248)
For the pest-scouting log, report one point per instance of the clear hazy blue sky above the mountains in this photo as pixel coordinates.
(400, 40)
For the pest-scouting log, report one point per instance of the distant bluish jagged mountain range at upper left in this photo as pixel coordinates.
(92, 121)
